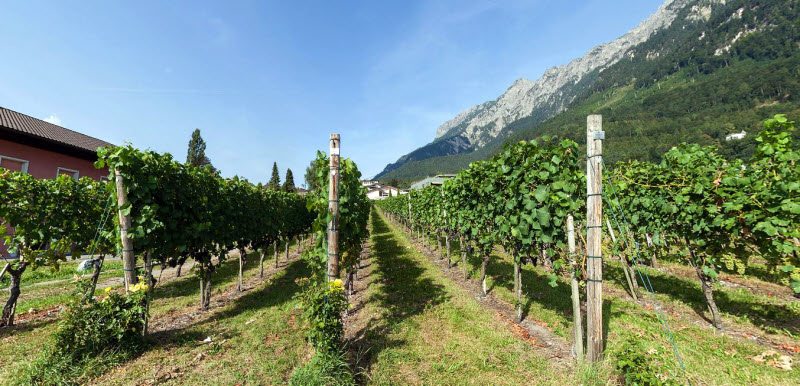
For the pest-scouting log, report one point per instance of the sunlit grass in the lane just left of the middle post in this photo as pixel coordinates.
(257, 339)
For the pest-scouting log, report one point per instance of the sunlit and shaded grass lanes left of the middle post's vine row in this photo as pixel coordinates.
(256, 335)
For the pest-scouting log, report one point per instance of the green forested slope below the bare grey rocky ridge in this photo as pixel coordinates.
(716, 69)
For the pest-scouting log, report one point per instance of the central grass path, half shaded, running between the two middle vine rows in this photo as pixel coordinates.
(417, 327)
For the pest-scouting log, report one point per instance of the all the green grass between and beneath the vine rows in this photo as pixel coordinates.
(416, 327)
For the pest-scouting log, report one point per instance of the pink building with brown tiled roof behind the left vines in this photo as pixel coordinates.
(45, 150)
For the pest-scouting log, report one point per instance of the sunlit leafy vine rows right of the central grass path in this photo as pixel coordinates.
(695, 207)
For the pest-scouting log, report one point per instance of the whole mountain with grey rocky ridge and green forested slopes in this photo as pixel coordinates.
(684, 44)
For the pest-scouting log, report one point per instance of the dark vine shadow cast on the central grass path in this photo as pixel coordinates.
(404, 294)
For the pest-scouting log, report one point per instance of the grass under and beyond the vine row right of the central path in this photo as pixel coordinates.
(698, 344)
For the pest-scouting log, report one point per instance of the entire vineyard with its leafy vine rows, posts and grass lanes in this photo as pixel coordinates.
(541, 265)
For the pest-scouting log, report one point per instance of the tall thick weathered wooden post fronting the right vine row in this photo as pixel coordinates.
(594, 234)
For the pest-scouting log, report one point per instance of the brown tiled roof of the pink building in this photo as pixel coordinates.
(31, 126)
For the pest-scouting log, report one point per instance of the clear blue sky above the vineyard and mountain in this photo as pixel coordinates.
(268, 81)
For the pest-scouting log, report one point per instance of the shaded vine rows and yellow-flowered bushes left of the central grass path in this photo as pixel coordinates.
(157, 212)
